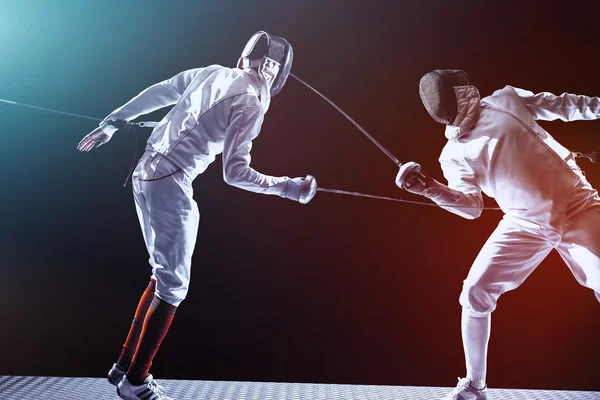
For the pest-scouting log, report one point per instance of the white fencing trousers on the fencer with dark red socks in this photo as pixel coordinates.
(169, 219)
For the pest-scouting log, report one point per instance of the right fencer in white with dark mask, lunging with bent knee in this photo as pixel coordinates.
(495, 146)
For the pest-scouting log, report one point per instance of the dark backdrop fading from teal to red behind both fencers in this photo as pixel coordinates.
(342, 290)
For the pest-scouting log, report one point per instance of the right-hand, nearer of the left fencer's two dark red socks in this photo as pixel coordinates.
(157, 323)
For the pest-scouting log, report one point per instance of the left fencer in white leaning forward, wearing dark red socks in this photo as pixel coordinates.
(216, 110)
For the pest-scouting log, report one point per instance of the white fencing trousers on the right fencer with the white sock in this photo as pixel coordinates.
(517, 247)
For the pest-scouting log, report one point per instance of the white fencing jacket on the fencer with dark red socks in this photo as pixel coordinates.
(217, 110)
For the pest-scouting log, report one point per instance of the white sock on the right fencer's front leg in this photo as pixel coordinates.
(475, 335)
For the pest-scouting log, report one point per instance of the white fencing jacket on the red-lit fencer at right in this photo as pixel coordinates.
(510, 157)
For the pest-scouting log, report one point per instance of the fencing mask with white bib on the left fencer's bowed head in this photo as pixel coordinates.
(272, 56)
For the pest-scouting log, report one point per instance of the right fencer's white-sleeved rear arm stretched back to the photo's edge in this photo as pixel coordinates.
(566, 107)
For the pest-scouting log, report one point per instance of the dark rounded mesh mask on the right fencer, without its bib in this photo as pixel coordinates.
(437, 93)
